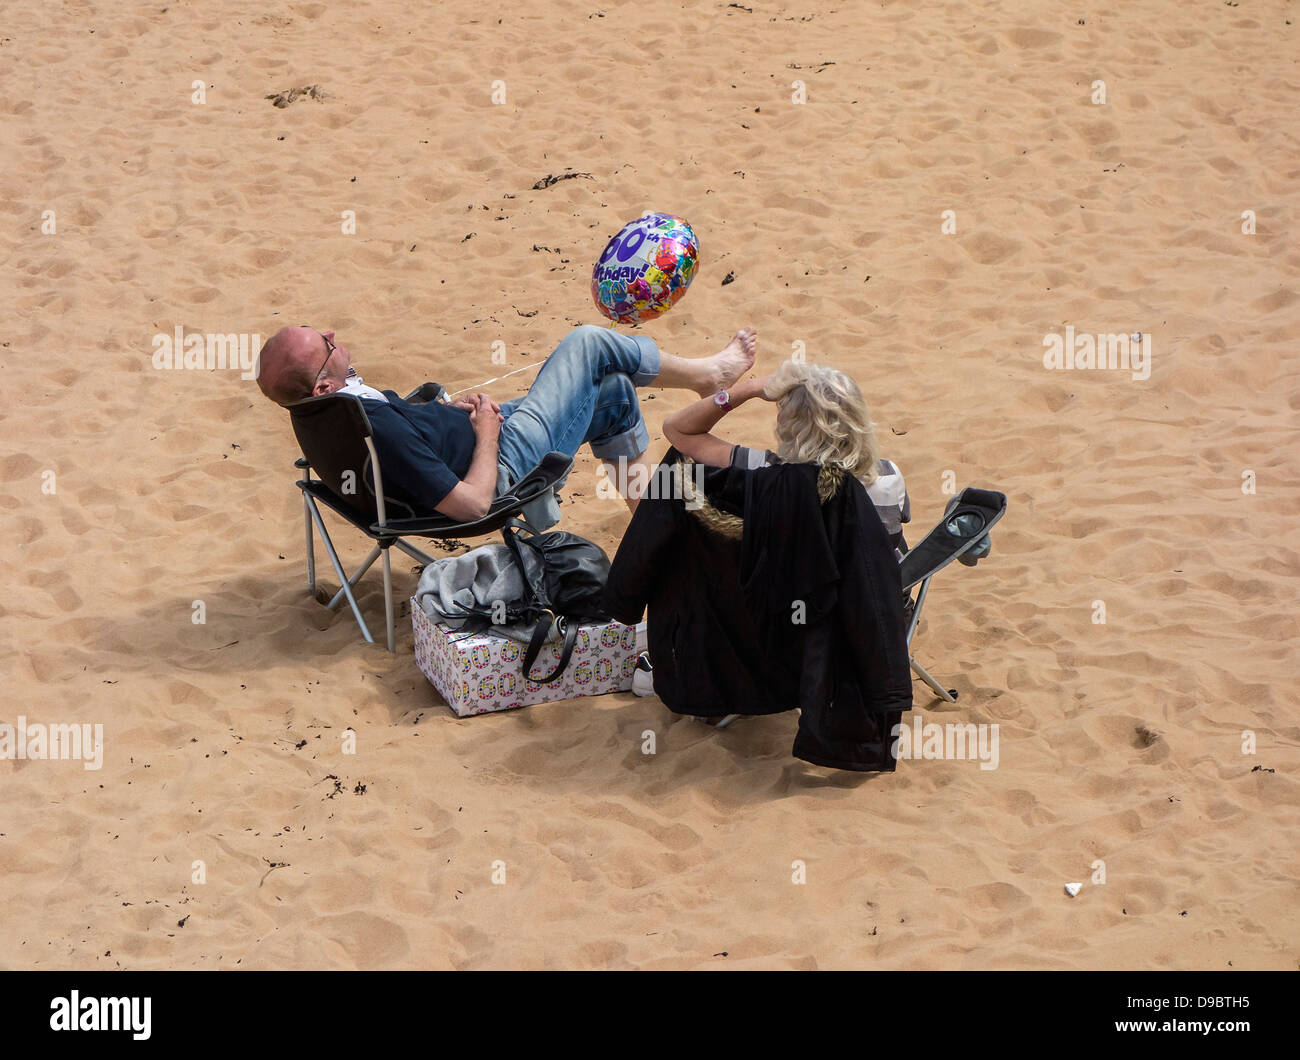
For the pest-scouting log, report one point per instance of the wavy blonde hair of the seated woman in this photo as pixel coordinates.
(824, 419)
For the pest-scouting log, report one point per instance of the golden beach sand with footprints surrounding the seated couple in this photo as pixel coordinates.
(1120, 742)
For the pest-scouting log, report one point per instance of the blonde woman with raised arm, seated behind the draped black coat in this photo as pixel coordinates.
(822, 418)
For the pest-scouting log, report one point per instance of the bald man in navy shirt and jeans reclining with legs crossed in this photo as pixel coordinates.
(456, 458)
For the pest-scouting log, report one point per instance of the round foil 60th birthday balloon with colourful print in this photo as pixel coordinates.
(645, 269)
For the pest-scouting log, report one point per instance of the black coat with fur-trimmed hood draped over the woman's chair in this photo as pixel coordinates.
(766, 599)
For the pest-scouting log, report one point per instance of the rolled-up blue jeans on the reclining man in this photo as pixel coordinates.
(584, 393)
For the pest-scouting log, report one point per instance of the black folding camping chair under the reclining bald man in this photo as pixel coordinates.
(337, 443)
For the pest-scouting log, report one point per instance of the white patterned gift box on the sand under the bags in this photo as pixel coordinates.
(479, 674)
